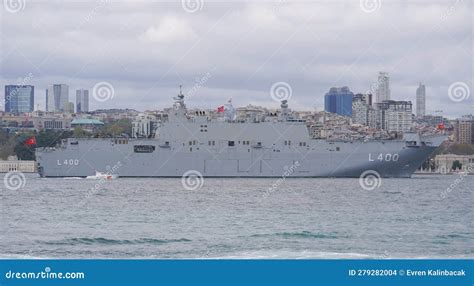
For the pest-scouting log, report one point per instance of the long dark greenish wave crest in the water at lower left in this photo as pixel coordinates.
(101, 240)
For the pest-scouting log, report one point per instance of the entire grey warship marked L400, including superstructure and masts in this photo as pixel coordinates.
(280, 145)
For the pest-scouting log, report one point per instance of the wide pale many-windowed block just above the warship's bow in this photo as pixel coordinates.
(394, 115)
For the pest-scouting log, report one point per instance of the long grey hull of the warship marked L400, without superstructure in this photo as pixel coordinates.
(320, 158)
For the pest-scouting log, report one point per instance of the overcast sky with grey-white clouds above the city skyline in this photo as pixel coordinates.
(239, 50)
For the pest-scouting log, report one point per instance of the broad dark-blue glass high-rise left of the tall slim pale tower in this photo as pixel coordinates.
(339, 100)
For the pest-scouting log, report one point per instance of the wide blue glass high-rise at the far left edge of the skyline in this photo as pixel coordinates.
(19, 98)
